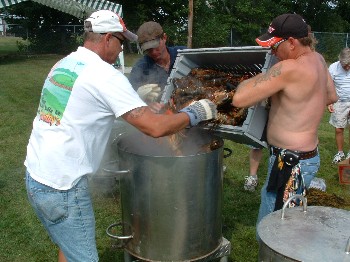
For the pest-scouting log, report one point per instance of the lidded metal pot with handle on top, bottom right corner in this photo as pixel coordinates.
(313, 233)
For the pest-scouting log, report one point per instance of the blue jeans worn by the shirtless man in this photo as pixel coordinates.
(308, 170)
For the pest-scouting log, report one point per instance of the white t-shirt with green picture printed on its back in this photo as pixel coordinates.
(81, 98)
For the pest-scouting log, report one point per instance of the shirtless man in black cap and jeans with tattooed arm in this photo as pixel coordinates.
(300, 88)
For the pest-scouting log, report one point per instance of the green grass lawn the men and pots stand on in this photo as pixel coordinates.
(22, 237)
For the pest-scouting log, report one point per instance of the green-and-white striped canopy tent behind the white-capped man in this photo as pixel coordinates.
(78, 8)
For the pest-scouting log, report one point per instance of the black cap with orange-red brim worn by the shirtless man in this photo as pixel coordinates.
(282, 27)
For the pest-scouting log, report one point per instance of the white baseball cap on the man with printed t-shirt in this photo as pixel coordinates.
(106, 21)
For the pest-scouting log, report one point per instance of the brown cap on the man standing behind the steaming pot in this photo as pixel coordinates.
(149, 35)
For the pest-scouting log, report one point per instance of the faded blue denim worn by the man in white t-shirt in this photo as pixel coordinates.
(68, 217)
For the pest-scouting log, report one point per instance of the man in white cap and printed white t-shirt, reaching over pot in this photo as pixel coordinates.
(81, 97)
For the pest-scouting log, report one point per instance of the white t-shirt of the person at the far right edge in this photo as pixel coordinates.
(341, 80)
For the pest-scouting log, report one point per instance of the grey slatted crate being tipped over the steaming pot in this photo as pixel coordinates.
(239, 60)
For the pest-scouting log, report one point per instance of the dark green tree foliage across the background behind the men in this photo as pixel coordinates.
(216, 22)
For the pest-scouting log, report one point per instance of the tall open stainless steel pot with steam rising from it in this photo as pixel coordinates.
(171, 199)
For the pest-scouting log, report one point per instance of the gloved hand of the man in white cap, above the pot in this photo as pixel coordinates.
(201, 110)
